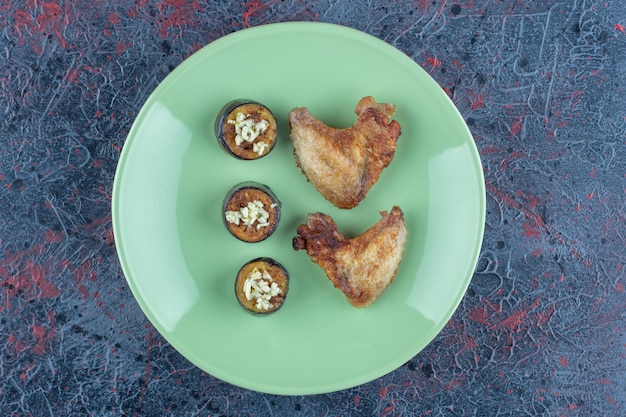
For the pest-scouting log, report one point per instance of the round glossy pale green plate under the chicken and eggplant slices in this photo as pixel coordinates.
(180, 262)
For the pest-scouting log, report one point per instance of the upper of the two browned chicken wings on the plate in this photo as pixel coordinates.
(343, 164)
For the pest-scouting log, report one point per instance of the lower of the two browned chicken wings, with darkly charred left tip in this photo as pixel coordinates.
(363, 267)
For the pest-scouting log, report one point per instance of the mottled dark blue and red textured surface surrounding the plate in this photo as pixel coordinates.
(542, 329)
